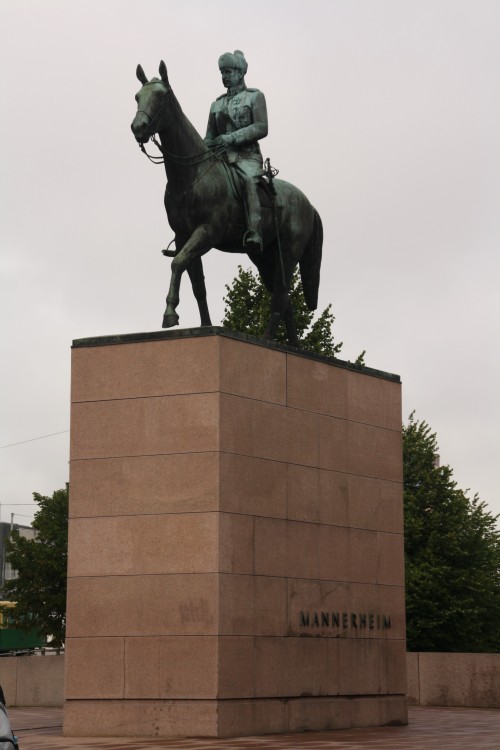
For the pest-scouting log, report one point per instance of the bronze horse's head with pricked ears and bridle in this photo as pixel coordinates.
(151, 99)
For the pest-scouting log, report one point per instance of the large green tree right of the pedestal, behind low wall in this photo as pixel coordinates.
(452, 548)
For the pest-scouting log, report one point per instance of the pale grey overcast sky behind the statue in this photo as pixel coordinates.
(386, 113)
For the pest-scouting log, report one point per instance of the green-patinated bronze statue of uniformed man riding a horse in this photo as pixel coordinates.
(219, 195)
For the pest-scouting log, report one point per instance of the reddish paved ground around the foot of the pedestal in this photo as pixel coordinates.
(429, 729)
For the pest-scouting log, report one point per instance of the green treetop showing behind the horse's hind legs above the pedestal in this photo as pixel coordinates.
(248, 308)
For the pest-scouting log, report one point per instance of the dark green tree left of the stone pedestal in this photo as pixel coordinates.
(40, 588)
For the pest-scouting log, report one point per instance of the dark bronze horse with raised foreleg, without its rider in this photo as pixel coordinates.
(205, 211)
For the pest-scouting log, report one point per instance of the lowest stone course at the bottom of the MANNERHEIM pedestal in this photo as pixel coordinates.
(229, 718)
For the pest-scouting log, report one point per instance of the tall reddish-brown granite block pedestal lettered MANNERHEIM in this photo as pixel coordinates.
(235, 540)
